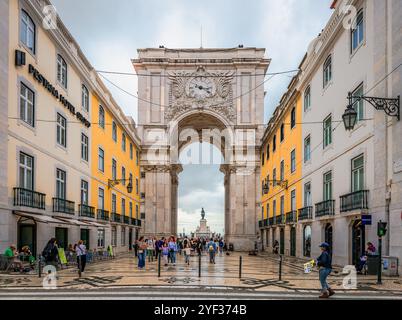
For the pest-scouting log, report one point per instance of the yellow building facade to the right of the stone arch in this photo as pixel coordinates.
(281, 173)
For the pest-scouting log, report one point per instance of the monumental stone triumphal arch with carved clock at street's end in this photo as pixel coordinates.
(192, 95)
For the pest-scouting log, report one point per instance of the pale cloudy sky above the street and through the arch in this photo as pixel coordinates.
(110, 32)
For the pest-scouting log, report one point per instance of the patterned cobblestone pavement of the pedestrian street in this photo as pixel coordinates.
(260, 274)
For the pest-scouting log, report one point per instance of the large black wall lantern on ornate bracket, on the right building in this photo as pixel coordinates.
(390, 106)
